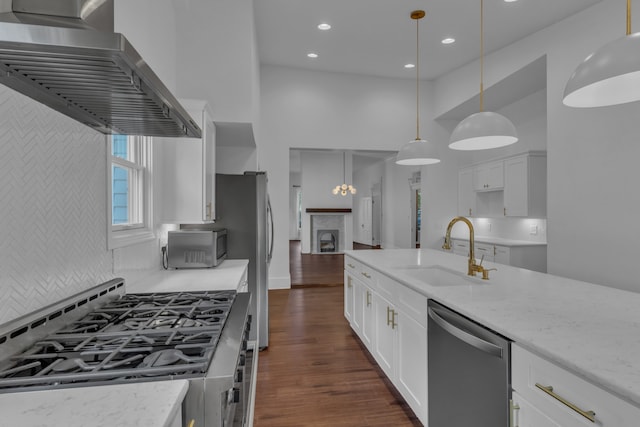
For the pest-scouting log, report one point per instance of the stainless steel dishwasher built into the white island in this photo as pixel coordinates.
(469, 372)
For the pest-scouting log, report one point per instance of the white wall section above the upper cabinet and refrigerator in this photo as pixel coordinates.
(216, 57)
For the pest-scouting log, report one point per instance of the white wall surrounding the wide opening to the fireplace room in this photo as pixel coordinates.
(306, 109)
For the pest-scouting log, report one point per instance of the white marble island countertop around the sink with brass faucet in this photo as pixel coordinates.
(588, 329)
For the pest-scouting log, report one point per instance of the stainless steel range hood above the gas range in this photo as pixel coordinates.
(64, 53)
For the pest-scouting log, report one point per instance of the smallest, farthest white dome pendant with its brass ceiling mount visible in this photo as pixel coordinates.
(418, 151)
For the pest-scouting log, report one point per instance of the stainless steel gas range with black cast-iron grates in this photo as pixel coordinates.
(104, 336)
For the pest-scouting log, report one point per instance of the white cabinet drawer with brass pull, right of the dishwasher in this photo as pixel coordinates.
(573, 397)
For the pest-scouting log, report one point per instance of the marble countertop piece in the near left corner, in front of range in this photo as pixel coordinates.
(147, 404)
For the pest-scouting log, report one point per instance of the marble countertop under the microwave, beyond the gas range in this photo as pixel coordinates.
(226, 276)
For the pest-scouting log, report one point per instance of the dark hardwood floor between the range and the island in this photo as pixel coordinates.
(315, 371)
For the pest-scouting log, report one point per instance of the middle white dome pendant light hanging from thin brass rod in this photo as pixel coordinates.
(486, 129)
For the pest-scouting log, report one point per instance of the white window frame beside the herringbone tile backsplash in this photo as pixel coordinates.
(140, 195)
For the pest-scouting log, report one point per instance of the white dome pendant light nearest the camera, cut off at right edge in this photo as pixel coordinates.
(609, 76)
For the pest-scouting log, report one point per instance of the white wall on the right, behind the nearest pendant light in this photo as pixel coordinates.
(591, 153)
